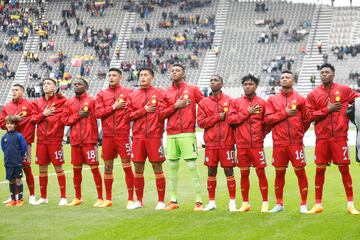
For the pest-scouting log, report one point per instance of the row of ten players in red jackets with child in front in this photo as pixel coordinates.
(242, 122)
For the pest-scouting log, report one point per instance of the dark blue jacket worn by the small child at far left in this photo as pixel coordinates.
(14, 146)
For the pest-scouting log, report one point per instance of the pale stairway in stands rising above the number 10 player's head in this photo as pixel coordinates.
(210, 61)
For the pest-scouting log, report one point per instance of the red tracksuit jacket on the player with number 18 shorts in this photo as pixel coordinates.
(84, 131)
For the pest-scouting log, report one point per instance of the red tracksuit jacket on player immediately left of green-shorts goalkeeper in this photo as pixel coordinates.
(146, 125)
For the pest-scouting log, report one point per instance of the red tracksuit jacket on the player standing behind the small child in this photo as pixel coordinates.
(25, 127)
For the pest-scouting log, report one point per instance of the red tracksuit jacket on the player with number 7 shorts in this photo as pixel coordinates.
(327, 124)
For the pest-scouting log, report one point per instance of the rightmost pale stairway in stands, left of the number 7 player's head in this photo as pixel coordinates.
(322, 21)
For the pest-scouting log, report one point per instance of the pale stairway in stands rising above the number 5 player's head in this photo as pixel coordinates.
(124, 35)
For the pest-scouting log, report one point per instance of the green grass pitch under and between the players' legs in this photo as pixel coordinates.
(86, 222)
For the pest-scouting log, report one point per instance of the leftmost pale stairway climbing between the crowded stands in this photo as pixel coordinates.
(22, 72)
